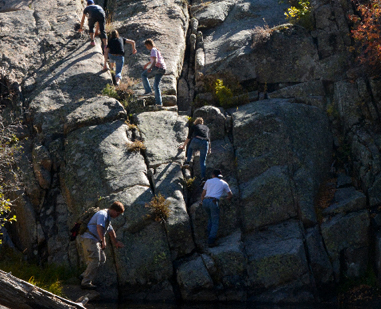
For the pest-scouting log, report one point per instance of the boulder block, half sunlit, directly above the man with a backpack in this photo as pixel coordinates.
(99, 163)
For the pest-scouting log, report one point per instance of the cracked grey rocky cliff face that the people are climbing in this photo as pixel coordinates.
(275, 244)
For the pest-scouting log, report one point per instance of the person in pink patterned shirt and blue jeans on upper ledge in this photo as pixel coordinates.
(156, 67)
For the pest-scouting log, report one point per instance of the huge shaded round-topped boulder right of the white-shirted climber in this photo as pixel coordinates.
(292, 172)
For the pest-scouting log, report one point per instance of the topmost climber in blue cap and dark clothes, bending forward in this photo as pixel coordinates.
(95, 14)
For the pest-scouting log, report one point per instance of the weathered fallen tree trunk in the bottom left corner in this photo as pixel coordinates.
(19, 294)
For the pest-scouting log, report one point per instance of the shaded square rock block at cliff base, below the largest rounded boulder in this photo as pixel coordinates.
(276, 259)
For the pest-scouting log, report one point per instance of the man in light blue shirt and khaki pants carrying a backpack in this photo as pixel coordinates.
(94, 242)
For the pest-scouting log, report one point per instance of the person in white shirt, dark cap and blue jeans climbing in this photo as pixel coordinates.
(213, 189)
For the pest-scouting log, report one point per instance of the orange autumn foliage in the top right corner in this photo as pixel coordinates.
(367, 32)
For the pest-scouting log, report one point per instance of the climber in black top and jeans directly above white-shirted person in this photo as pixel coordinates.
(199, 136)
